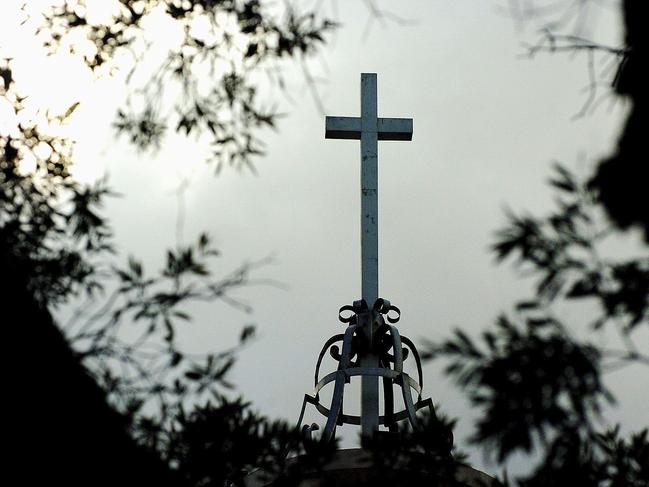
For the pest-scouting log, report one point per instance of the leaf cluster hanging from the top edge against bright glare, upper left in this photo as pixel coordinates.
(233, 43)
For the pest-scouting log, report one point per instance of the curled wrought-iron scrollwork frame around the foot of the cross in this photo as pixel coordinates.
(392, 350)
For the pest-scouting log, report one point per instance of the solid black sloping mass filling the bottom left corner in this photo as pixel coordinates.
(62, 429)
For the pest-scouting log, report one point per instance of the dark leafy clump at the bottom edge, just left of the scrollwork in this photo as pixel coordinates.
(223, 441)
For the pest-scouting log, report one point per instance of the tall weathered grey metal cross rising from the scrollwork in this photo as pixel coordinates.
(369, 128)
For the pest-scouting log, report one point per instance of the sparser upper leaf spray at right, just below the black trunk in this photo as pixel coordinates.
(566, 251)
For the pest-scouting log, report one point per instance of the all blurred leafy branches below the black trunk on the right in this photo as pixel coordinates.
(540, 388)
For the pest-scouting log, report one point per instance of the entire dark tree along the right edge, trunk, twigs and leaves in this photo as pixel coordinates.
(537, 386)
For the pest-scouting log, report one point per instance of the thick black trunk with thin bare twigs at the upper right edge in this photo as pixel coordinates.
(566, 27)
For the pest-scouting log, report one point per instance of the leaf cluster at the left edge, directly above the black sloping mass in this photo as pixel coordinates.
(50, 224)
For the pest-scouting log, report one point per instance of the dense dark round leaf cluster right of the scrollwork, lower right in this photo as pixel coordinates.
(531, 382)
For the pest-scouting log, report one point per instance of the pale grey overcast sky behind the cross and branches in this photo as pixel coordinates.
(488, 123)
